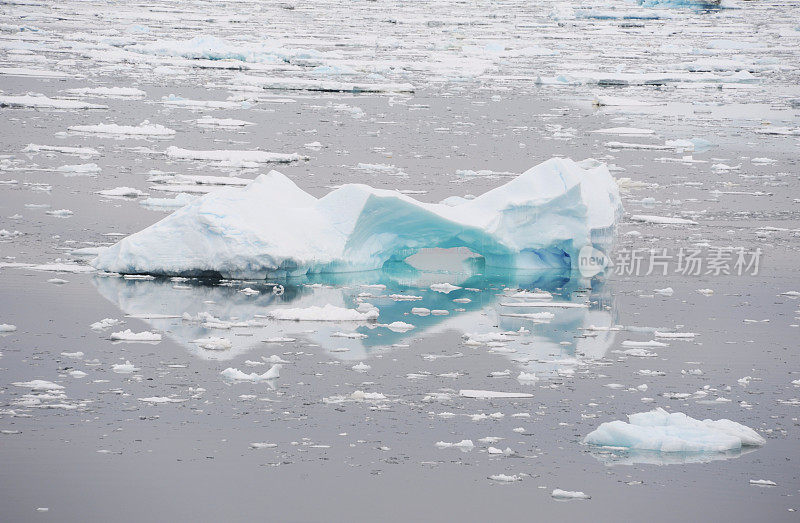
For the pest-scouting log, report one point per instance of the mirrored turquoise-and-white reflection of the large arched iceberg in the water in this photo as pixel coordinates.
(192, 311)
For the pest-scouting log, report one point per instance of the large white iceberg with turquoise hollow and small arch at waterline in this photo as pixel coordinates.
(272, 228)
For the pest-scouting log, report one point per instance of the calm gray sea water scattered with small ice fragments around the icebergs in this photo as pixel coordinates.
(498, 88)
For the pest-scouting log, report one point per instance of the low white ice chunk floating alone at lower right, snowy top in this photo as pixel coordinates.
(661, 431)
